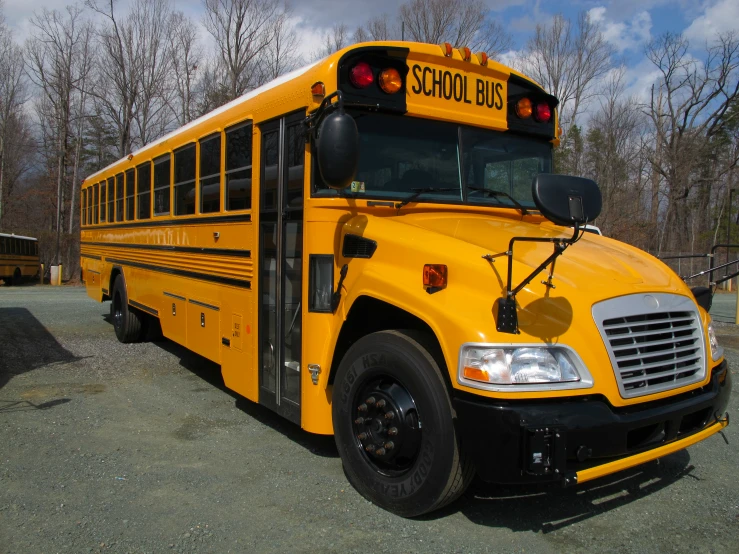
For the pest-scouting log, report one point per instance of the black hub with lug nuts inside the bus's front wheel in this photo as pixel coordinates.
(387, 426)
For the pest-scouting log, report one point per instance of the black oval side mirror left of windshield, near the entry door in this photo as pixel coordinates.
(337, 149)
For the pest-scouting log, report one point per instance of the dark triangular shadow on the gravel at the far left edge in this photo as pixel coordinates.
(25, 345)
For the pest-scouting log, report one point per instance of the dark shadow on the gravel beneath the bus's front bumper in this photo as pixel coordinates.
(550, 508)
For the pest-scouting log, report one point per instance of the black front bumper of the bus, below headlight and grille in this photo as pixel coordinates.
(539, 441)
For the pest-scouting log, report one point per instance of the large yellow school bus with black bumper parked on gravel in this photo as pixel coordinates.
(375, 247)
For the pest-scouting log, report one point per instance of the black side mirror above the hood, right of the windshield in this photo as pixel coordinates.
(566, 200)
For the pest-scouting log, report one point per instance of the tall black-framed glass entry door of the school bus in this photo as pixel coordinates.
(280, 264)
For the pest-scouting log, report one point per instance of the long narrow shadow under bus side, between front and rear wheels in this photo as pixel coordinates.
(210, 372)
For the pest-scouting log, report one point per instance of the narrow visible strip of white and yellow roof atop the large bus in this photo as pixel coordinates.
(432, 49)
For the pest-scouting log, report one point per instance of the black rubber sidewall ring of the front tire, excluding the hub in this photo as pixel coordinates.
(419, 489)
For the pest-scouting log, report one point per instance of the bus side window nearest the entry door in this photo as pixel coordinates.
(238, 167)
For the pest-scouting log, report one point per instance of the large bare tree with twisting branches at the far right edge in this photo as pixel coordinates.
(690, 109)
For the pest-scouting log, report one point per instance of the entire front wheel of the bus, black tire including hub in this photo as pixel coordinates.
(394, 428)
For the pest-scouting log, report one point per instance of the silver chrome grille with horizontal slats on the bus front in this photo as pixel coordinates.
(655, 342)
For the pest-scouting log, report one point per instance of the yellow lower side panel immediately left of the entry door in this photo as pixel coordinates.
(237, 359)
